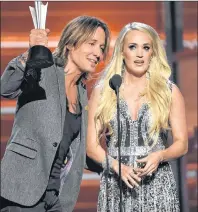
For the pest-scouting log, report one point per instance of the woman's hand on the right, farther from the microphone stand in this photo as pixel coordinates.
(152, 162)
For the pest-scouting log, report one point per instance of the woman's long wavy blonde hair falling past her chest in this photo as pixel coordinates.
(157, 92)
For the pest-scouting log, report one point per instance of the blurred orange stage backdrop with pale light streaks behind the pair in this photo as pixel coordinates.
(16, 24)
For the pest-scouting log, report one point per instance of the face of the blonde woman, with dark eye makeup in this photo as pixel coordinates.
(137, 52)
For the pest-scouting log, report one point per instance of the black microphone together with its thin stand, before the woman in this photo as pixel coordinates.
(115, 82)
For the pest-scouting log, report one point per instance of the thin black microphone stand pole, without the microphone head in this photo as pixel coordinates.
(119, 145)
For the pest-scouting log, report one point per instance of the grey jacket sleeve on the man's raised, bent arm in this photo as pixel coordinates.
(12, 79)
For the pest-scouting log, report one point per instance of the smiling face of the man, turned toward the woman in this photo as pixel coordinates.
(86, 57)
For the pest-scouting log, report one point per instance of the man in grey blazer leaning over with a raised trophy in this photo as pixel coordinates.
(45, 156)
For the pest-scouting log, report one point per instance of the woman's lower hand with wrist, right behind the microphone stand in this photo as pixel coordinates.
(128, 175)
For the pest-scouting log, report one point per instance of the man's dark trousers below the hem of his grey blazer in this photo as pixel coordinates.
(48, 203)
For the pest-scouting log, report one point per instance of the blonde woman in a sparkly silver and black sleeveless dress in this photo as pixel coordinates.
(150, 105)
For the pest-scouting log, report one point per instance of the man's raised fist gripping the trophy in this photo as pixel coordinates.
(39, 37)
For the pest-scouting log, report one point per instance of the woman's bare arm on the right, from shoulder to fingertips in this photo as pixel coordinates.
(179, 131)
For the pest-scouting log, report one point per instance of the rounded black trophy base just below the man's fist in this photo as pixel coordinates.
(39, 57)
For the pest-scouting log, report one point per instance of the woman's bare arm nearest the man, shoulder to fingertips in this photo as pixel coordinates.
(95, 150)
